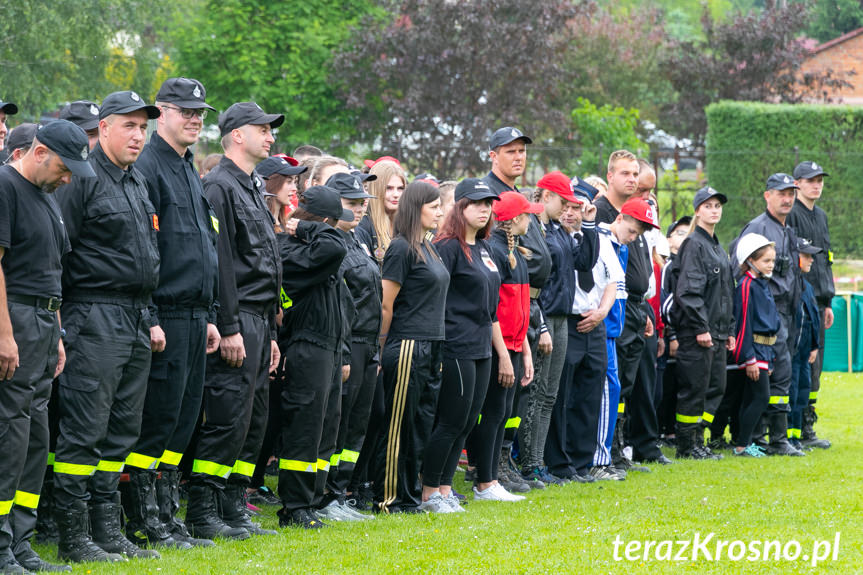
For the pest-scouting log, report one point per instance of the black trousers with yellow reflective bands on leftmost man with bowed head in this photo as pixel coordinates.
(24, 421)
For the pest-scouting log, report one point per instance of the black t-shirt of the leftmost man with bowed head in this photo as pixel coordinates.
(33, 236)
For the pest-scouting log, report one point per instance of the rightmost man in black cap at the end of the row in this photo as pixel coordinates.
(810, 222)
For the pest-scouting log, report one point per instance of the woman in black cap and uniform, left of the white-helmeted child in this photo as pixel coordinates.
(703, 319)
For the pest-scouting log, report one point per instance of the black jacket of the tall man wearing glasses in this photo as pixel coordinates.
(188, 229)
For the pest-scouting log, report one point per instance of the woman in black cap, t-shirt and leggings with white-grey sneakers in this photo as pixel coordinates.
(471, 303)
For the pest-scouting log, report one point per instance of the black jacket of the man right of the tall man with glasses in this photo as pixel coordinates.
(249, 268)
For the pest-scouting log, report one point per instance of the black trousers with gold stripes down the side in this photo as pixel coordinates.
(412, 379)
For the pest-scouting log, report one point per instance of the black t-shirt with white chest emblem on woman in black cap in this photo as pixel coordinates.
(471, 302)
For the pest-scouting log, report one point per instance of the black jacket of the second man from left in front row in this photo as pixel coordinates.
(112, 229)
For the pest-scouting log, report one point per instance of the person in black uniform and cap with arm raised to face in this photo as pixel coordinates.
(311, 253)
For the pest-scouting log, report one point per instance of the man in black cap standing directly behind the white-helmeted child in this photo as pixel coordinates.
(785, 287)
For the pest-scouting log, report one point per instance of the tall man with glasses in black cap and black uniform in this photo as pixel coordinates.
(185, 303)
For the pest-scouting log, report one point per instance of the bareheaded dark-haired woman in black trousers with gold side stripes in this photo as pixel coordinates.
(415, 284)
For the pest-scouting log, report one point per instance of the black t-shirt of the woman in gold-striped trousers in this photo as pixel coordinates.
(418, 311)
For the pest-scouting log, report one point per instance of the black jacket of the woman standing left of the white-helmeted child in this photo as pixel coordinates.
(703, 297)
